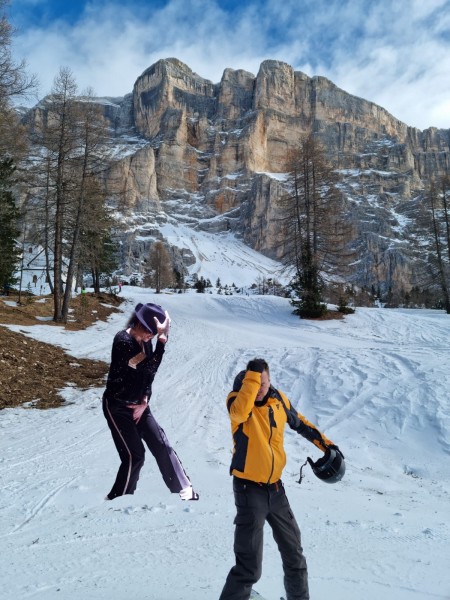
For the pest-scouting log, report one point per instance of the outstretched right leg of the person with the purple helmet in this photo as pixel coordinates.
(168, 462)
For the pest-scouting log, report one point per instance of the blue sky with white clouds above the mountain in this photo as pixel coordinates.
(395, 53)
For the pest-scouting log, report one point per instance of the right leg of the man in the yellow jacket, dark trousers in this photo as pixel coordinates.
(287, 536)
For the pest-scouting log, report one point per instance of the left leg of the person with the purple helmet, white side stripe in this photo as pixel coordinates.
(129, 446)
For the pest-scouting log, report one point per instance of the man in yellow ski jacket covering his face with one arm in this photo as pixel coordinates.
(258, 414)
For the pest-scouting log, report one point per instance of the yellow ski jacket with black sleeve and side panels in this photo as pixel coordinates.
(258, 431)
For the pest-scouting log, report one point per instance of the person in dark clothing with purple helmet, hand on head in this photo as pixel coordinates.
(133, 367)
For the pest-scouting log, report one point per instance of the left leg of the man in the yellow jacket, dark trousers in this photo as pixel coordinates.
(252, 507)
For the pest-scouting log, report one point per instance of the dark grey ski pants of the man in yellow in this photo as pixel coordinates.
(256, 504)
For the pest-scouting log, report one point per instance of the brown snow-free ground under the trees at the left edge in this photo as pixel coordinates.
(33, 371)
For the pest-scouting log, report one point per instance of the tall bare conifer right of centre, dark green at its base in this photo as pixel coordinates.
(316, 234)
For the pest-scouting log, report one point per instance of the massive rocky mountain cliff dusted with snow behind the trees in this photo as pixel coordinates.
(214, 157)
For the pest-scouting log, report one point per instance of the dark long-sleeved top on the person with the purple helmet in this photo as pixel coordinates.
(132, 370)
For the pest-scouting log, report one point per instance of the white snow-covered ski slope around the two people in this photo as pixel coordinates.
(376, 383)
